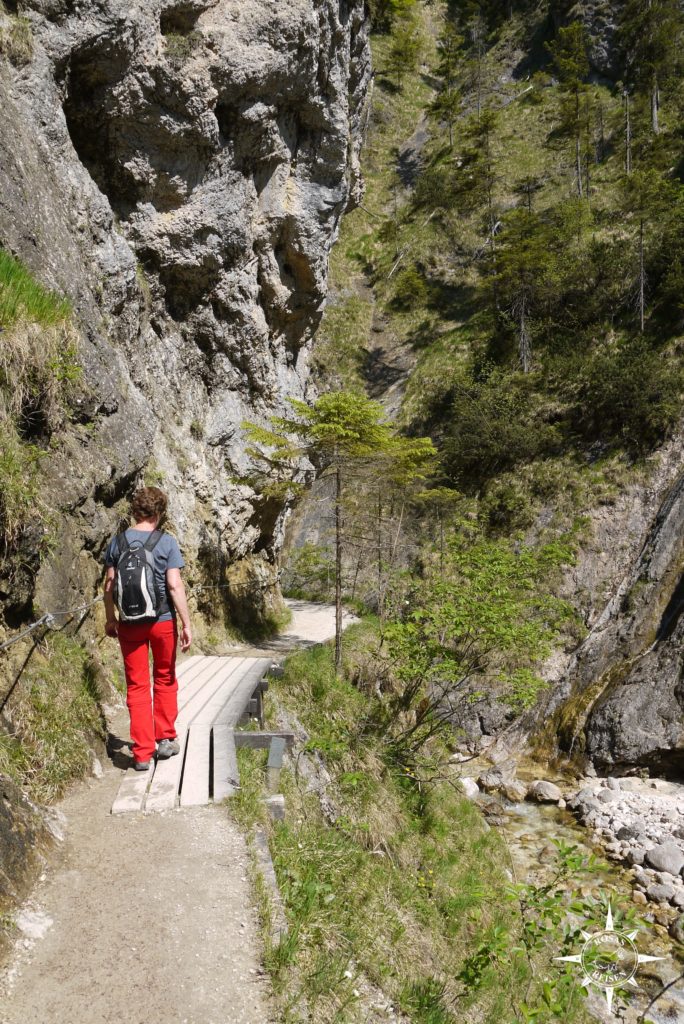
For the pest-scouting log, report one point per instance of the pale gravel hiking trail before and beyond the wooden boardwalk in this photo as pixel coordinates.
(146, 918)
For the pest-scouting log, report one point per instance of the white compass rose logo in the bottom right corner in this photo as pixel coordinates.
(610, 959)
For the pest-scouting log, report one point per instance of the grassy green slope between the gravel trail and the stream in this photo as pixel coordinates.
(401, 890)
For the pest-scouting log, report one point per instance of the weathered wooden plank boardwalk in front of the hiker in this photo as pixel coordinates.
(213, 695)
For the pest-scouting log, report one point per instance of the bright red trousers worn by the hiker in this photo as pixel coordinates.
(159, 722)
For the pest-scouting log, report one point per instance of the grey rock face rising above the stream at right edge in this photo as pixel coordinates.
(620, 699)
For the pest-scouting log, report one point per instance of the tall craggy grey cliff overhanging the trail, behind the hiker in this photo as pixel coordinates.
(179, 169)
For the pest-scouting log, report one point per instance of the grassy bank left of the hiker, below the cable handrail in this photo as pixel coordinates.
(55, 717)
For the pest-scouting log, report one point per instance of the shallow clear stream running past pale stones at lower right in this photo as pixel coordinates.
(529, 830)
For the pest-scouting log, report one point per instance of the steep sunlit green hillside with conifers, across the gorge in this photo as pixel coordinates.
(511, 286)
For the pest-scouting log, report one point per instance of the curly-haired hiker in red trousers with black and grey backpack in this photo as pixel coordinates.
(144, 584)
